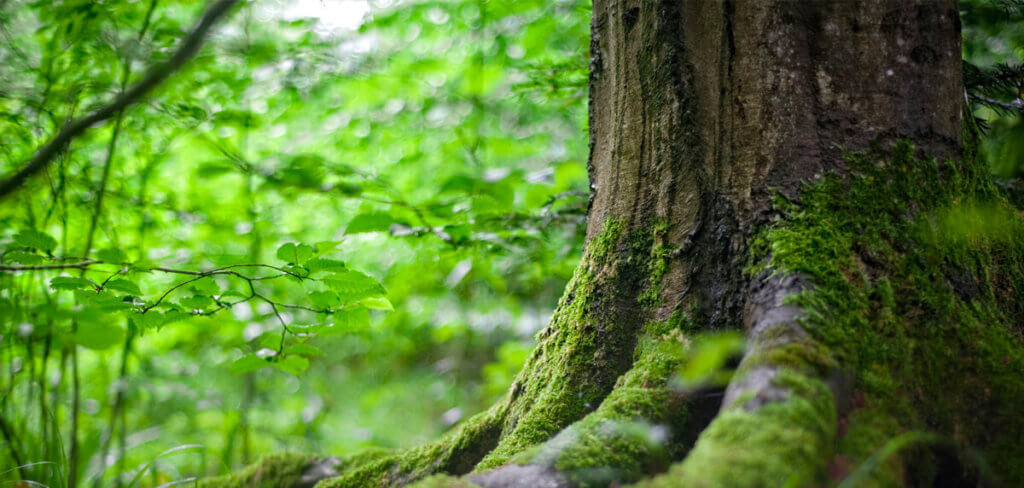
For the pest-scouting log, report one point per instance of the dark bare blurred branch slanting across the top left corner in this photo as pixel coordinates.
(157, 75)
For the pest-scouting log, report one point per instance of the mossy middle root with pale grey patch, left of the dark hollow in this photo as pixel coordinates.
(641, 428)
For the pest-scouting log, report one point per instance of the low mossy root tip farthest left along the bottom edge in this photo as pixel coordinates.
(289, 470)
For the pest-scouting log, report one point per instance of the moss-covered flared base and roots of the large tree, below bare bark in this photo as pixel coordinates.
(884, 349)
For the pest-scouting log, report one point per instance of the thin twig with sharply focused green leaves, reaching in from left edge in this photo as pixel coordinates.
(342, 290)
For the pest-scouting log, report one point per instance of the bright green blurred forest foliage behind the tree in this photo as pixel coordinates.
(410, 174)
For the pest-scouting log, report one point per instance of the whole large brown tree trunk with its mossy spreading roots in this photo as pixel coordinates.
(799, 171)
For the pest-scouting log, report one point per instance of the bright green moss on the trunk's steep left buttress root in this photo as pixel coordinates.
(584, 349)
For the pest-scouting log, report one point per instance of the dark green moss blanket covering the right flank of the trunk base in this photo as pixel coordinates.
(918, 279)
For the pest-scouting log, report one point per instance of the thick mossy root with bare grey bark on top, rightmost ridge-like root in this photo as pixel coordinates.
(778, 425)
